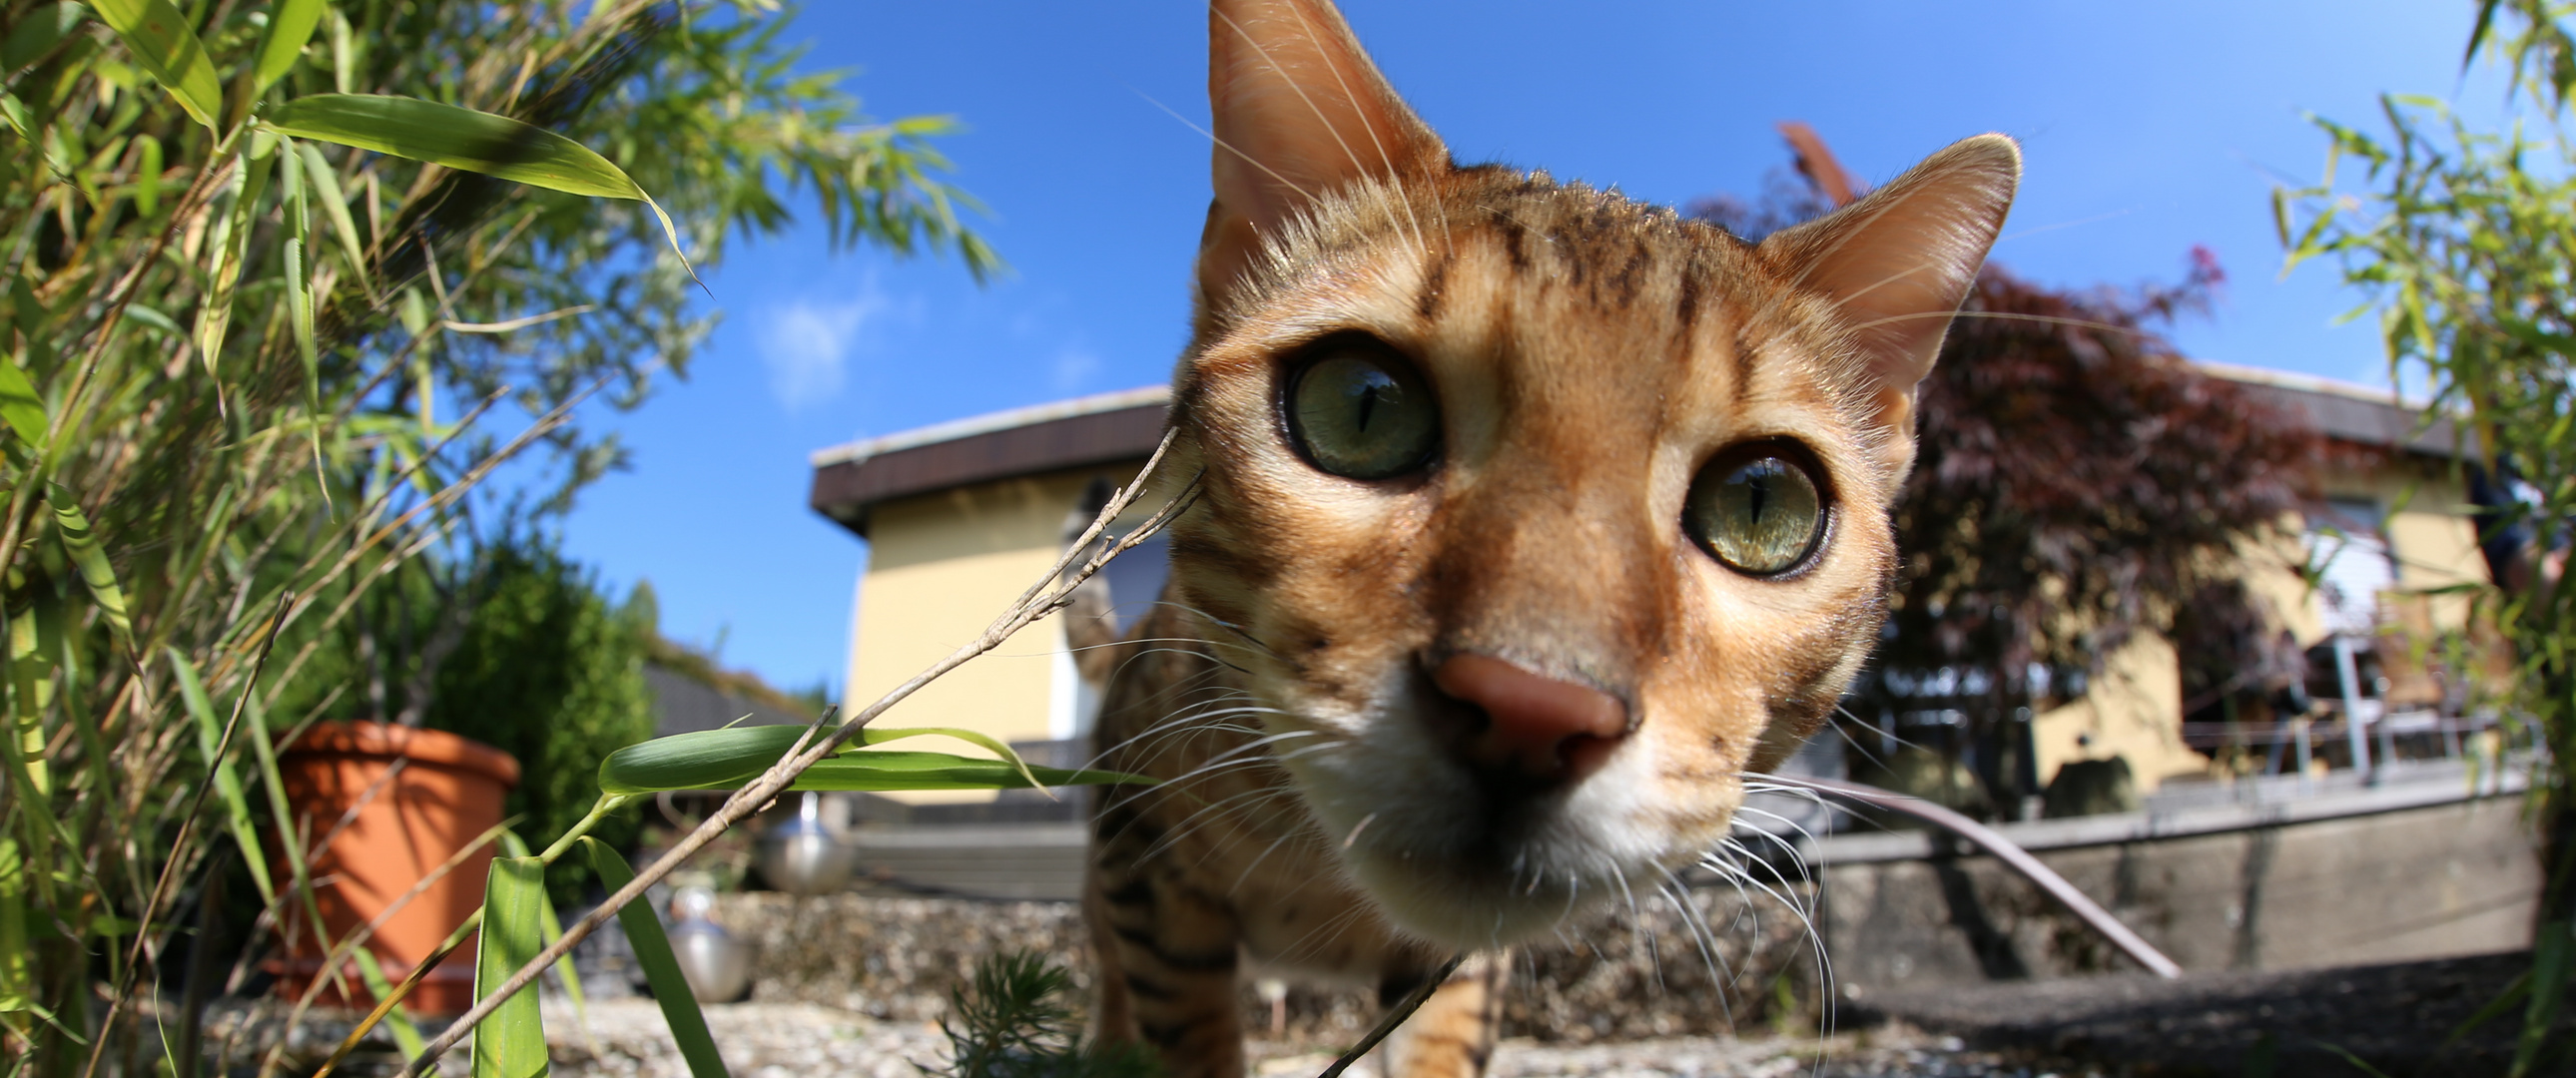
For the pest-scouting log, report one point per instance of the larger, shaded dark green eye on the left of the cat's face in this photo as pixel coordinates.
(1361, 413)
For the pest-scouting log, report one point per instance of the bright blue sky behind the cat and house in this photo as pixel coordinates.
(2147, 130)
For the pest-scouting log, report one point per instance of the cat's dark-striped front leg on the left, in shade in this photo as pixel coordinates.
(1168, 964)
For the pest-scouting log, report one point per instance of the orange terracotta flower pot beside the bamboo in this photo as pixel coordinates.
(408, 825)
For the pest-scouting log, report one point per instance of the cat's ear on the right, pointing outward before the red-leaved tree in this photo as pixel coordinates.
(1902, 259)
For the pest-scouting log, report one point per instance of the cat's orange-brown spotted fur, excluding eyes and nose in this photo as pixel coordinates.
(1588, 356)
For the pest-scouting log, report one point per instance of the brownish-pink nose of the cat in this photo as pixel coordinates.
(1537, 729)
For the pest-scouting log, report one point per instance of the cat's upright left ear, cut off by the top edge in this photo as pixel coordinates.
(1300, 112)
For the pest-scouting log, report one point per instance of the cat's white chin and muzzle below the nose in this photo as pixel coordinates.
(1449, 863)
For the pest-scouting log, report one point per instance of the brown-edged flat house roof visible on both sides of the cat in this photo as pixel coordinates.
(1119, 428)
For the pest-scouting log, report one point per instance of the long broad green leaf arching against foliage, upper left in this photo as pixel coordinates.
(465, 140)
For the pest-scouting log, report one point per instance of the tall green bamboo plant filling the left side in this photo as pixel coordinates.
(287, 287)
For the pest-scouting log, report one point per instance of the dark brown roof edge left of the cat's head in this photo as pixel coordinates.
(851, 485)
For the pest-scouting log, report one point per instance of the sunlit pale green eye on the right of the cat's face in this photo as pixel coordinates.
(1758, 513)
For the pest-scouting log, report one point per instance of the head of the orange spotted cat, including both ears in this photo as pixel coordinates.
(1537, 516)
